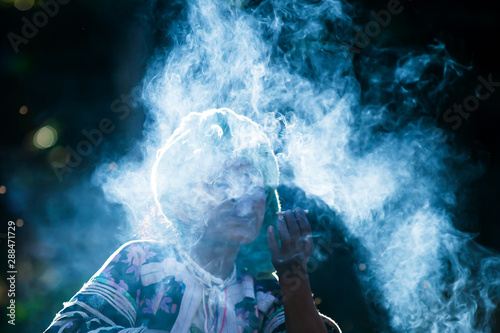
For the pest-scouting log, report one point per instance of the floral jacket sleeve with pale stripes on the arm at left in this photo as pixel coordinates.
(108, 301)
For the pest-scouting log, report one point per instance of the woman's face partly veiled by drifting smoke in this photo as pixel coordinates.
(236, 213)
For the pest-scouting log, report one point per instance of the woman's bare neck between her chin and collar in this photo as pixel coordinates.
(216, 258)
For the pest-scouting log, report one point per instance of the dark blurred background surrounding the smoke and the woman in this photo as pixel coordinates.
(94, 52)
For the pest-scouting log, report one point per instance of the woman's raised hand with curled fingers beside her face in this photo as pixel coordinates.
(296, 243)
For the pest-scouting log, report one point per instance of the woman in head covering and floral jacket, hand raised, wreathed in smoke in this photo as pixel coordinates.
(214, 184)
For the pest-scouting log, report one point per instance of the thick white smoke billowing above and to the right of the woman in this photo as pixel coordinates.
(367, 145)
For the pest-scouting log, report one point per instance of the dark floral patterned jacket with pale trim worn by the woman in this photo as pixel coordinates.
(146, 287)
